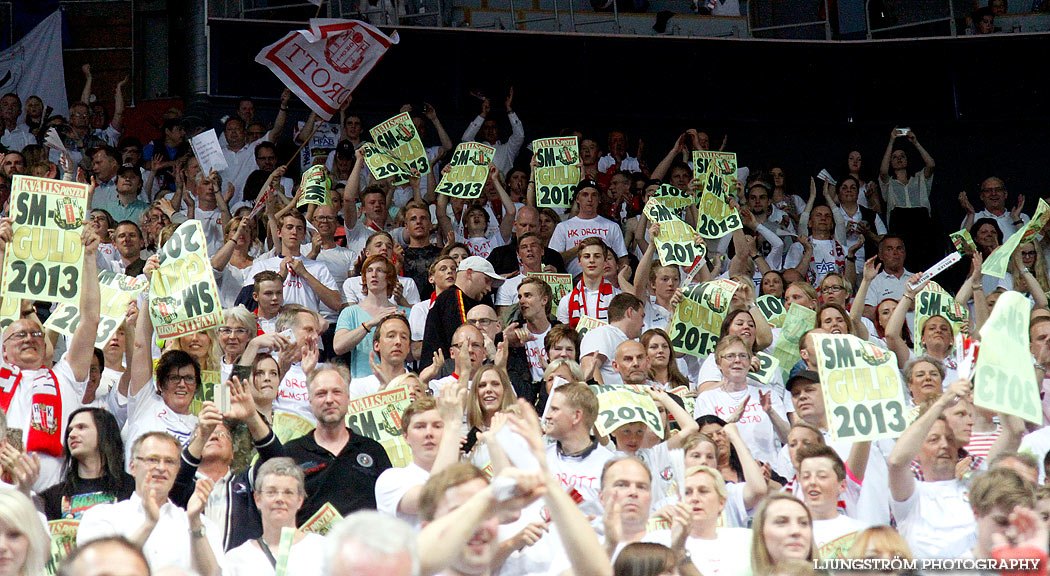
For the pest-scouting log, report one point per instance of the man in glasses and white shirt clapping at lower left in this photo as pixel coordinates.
(169, 535)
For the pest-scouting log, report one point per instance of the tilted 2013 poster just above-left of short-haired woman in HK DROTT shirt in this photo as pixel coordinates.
(698, 322)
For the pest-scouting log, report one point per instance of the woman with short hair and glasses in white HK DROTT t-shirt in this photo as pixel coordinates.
(765, 416)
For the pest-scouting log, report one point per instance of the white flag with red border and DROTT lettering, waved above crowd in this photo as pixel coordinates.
(324, 66)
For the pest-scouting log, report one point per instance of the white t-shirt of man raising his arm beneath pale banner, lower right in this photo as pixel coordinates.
(937, 521)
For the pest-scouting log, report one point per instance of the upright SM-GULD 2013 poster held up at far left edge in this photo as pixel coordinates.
(46, 259)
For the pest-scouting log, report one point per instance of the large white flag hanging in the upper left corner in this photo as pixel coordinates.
(33, 67)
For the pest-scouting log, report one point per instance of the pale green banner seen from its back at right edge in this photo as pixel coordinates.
(1004, 379)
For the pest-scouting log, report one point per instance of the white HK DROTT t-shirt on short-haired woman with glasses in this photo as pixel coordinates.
(755, 426)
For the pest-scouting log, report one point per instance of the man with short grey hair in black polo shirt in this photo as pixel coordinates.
(341, 467)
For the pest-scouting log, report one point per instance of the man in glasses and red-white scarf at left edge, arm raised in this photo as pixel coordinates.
(30, 386)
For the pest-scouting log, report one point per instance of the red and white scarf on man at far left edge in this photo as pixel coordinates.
(46, 412)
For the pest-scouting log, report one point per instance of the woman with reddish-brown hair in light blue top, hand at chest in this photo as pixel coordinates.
(353, 333)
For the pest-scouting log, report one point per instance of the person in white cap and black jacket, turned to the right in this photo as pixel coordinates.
(475, 279)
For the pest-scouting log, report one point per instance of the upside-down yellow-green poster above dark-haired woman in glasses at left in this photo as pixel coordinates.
(183, 296)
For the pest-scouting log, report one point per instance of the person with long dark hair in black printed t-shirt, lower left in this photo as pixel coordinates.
(94, 471)
